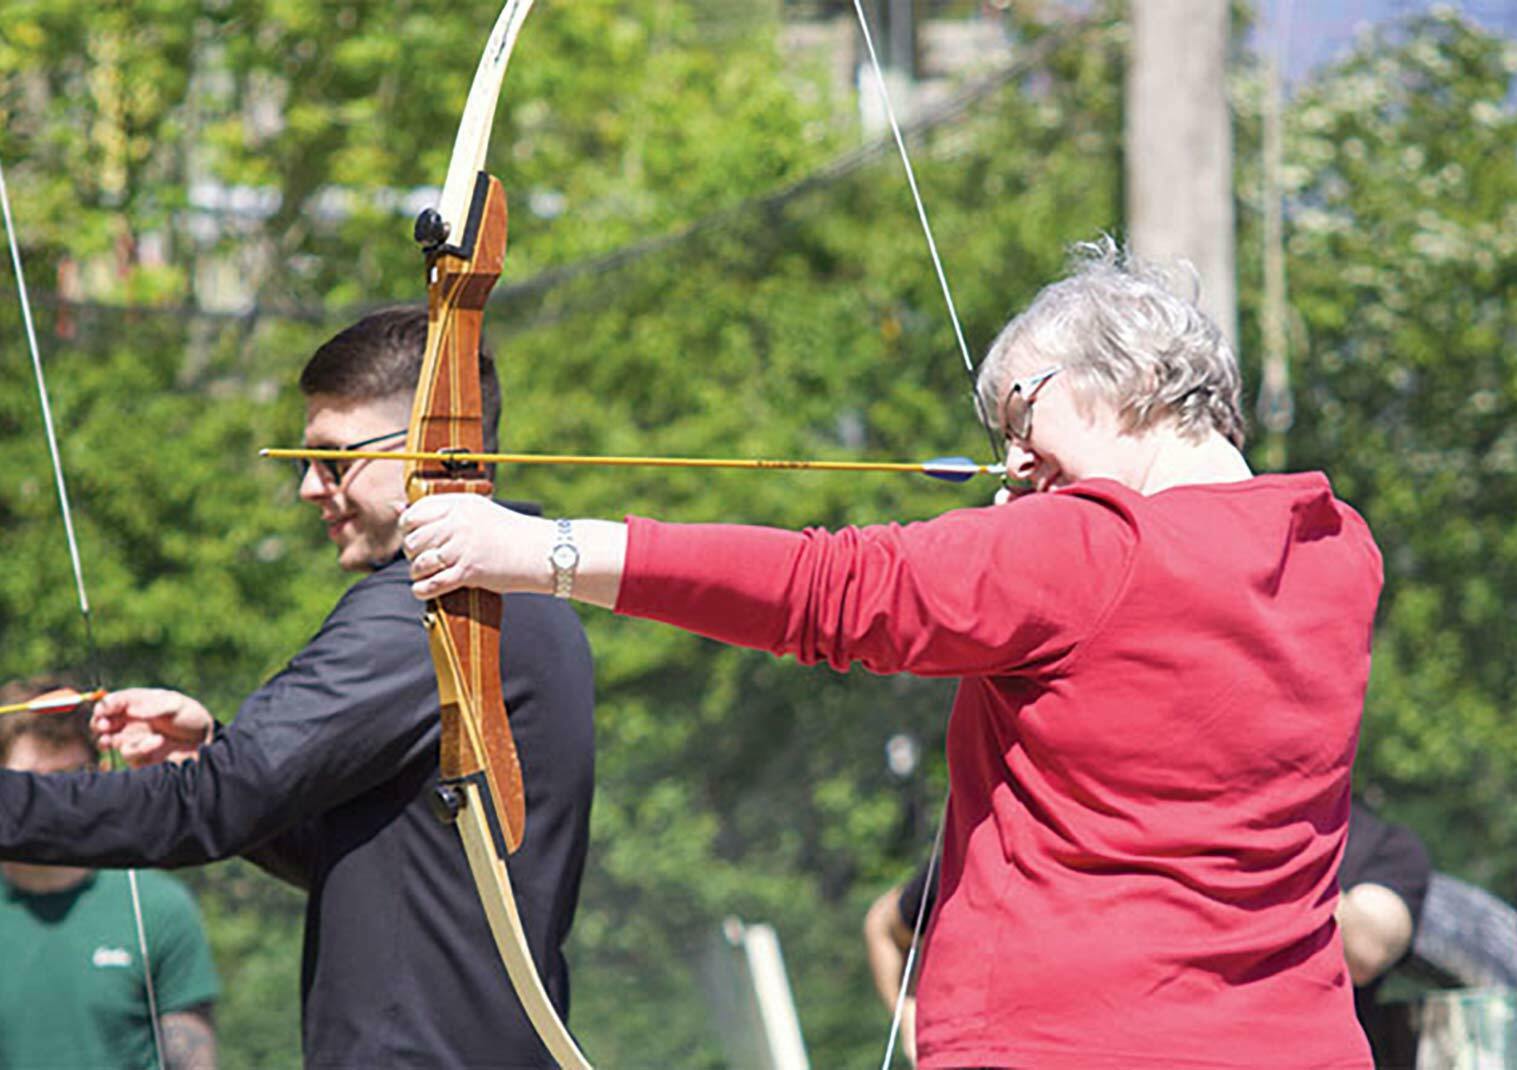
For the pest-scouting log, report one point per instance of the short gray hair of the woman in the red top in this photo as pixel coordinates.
(1119, 327)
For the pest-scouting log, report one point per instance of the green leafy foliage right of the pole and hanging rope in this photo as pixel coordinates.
(1402, 260)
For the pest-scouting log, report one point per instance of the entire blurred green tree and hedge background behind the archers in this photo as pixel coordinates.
(708, 259)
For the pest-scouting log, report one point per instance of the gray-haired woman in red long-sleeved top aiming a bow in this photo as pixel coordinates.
(1163, 662)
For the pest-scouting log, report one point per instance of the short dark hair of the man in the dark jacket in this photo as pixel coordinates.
(380, 357)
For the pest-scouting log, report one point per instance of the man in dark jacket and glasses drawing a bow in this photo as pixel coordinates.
(327, 773)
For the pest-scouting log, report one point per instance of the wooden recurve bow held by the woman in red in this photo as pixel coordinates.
(480, 778)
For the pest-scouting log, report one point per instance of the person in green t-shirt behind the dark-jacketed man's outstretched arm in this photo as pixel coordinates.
(74, 992)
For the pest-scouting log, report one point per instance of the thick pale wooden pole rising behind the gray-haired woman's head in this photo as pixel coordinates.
(1179, 146)
